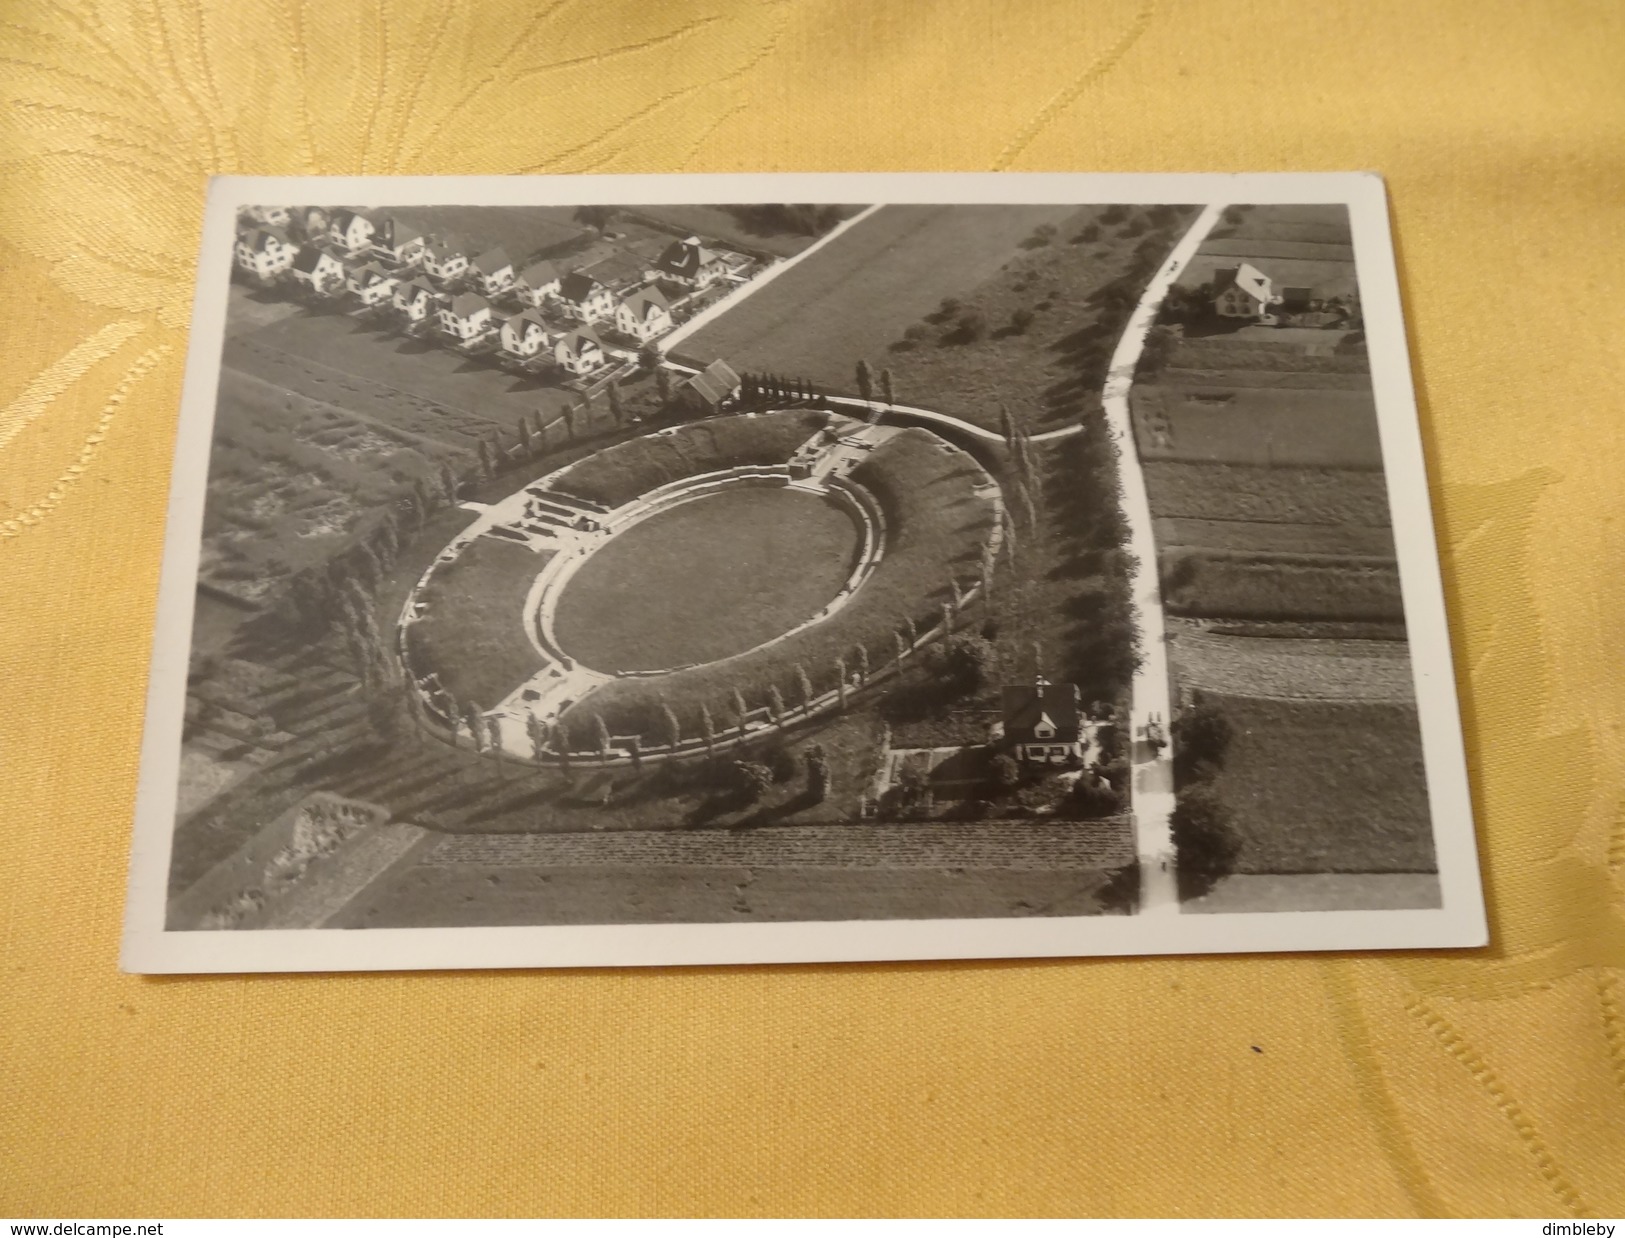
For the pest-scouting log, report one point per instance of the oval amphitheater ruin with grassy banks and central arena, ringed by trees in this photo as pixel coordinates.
(927, 524)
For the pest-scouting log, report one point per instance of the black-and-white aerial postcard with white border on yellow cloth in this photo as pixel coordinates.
(786, 569)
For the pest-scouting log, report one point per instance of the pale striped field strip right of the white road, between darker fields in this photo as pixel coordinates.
(1296, 669)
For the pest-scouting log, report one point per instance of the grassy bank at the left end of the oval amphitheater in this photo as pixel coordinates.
(472, 633)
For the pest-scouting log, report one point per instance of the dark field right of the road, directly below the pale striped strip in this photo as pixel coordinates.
(1322, 787)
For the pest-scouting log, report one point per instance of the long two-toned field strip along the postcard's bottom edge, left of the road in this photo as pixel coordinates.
(849, 872)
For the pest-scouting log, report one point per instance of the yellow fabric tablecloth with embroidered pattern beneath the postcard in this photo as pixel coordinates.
(1480, 1083)
